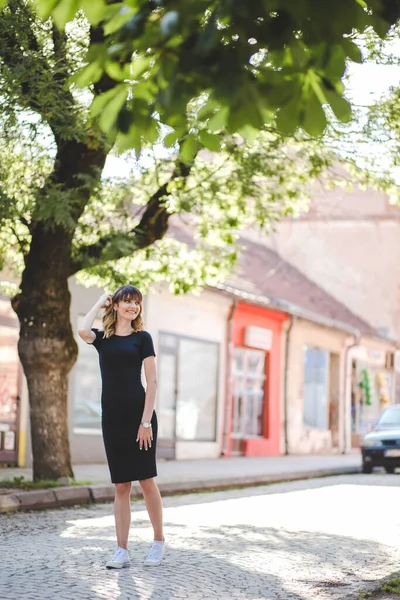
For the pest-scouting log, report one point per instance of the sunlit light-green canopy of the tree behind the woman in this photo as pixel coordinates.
(52, 154)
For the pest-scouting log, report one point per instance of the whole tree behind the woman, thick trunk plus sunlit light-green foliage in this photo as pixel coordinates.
(59, 217)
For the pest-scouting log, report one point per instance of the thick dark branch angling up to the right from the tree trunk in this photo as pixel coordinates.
(152, 227)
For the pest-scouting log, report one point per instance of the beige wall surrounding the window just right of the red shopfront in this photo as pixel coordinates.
(303, 439)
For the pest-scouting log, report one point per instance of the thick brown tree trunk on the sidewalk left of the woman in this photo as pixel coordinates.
(47, 348)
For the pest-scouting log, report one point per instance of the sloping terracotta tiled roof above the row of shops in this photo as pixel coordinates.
(263, 272)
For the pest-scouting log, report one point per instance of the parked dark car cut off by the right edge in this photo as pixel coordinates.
(381, 446)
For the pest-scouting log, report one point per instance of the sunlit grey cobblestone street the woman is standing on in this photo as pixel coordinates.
(322, 539)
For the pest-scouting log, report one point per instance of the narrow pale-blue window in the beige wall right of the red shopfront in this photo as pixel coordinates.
(316, 370)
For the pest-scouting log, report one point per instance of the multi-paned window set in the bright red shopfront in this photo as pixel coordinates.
(248, 392)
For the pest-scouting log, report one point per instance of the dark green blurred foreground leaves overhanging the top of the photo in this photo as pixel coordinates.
(207, 66)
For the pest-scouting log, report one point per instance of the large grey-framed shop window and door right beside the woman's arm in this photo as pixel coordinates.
(187, 388)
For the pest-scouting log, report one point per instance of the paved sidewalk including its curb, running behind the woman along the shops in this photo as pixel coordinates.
(179, 477)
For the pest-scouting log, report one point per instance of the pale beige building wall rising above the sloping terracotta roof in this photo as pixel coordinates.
(356, 261)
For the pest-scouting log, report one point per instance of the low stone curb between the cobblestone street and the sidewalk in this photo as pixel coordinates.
(17, 501)
